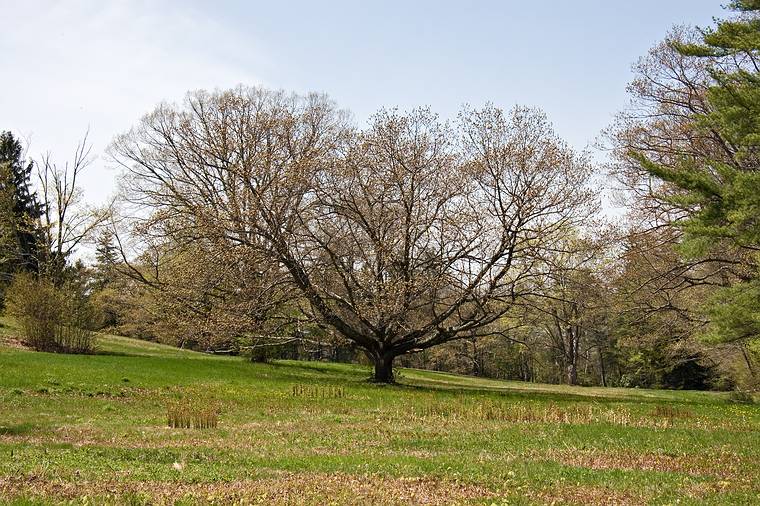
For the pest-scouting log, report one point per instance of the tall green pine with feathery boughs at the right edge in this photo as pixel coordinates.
(722, 194)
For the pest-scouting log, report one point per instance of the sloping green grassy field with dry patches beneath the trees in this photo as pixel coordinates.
(93, 429)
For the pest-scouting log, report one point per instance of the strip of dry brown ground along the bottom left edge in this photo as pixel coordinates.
(282, 488)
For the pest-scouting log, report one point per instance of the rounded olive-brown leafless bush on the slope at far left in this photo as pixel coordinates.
(51, 318)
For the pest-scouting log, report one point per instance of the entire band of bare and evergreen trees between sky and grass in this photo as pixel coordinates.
(259, 222)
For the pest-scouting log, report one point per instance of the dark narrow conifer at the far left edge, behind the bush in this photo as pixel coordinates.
(25, 208)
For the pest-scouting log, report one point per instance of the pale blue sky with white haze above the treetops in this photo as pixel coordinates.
(99, 65)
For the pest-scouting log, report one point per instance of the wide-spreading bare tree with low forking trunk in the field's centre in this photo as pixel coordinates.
(402, 236)
